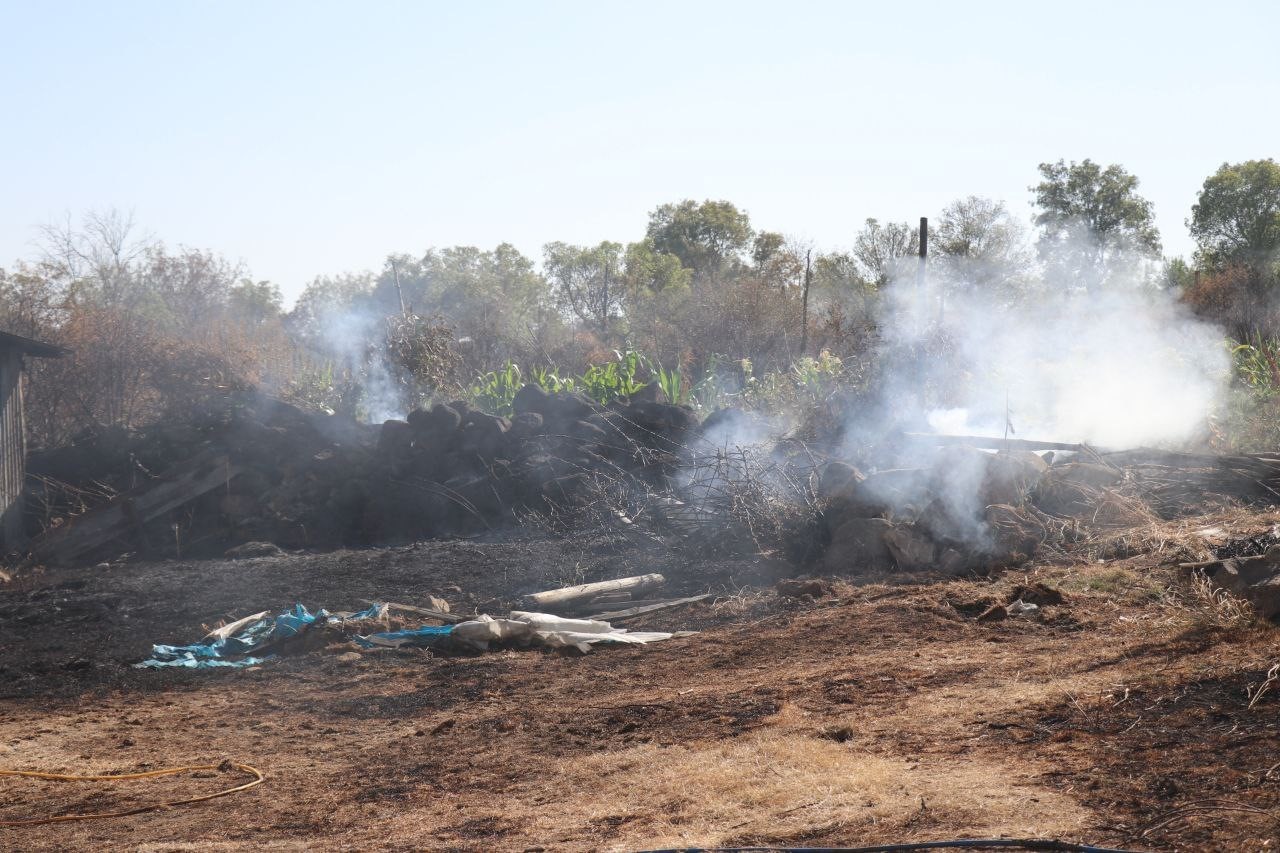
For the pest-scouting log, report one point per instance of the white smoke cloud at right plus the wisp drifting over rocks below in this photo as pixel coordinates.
(1101, 357)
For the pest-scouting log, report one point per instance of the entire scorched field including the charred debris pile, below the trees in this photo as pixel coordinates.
(917, 640)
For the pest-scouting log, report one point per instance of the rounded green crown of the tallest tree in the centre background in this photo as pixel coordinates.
(707, 238)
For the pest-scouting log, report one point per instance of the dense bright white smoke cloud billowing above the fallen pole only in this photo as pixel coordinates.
(1117, 363)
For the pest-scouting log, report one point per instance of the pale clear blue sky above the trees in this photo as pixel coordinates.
(308, 139)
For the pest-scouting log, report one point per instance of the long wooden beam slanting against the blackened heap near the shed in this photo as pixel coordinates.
(127, 513)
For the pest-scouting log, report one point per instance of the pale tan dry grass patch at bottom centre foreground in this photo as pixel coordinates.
(780, 784)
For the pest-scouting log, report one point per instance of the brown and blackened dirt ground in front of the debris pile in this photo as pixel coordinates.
(868, 713)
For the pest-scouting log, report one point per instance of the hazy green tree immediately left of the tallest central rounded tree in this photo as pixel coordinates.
(588, 281)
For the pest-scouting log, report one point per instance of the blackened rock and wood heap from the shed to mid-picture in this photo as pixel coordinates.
(263, 471)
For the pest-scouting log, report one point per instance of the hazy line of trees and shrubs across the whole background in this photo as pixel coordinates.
(154, 330)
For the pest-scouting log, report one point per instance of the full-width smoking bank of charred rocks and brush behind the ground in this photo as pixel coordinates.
(262, 472)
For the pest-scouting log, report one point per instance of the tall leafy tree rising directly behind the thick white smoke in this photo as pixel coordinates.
(1094, 223)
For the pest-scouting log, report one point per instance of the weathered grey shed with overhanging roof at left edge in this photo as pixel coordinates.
(13, 432)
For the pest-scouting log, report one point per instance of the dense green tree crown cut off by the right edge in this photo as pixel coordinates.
(1237, 216)
